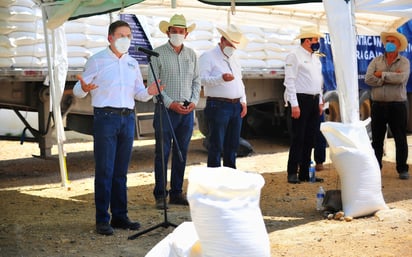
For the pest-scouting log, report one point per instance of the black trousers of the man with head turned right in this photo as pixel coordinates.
(303, 136)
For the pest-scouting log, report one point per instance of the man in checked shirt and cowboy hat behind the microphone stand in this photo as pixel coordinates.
(177, 67)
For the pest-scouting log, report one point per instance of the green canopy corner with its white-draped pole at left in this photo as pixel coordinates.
(54, 14)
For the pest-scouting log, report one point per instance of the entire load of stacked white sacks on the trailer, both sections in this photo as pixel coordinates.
(22, 38)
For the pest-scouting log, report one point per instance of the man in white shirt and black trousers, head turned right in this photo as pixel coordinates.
(303, 82)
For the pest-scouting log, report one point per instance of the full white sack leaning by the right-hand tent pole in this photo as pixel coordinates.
(352, 154)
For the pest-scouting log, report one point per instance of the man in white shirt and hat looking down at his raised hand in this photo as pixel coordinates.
(221, 77)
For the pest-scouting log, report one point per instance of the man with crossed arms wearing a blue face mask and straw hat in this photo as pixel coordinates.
(388, 75)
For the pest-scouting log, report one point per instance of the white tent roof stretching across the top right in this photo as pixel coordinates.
(371, 15)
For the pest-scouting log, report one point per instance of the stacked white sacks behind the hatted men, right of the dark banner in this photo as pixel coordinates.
(267, 48)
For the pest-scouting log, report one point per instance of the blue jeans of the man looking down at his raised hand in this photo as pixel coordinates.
(225, 125)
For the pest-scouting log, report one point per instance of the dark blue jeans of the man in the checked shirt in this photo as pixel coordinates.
(182, 126)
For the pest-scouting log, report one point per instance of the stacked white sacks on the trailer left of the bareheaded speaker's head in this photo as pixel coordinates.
(22, 38)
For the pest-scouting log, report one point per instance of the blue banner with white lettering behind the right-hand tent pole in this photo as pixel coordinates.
(368, 47)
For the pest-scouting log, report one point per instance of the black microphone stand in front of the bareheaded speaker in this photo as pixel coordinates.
(162, 108)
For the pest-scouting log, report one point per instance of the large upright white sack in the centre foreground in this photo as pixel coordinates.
(224, 206)
